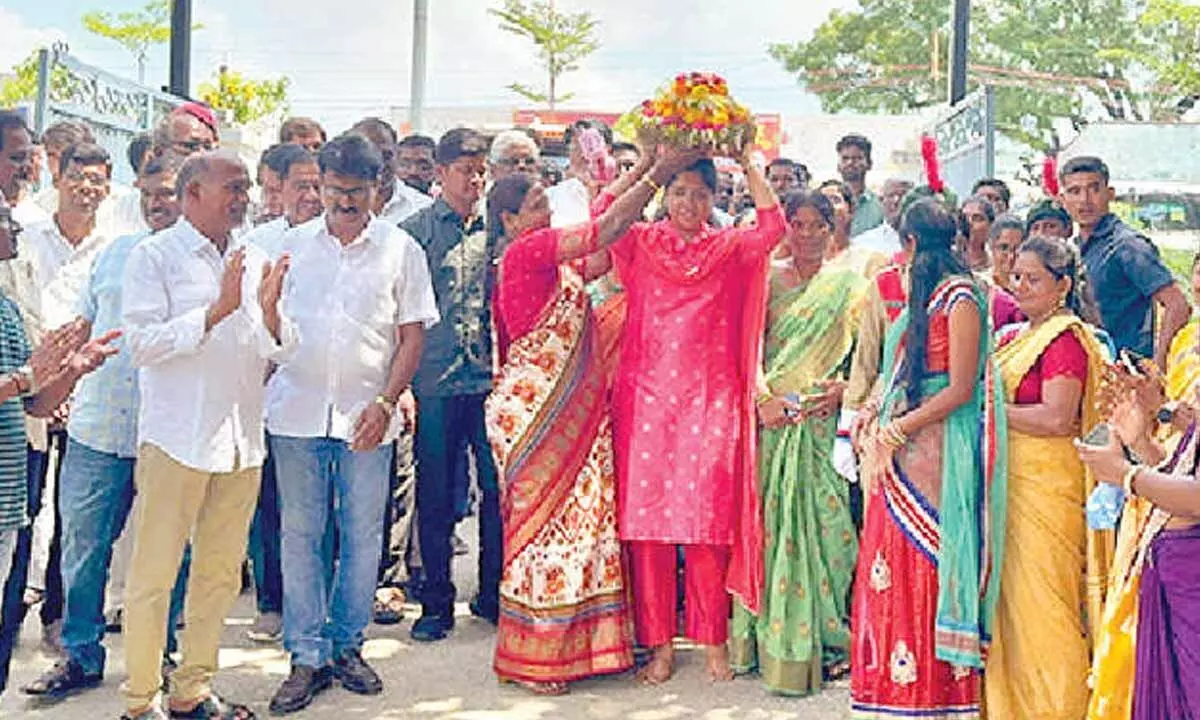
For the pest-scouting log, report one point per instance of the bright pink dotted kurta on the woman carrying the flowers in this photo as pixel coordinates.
(683, 392)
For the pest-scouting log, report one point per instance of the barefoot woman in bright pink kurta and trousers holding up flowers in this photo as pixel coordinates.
(685, 413)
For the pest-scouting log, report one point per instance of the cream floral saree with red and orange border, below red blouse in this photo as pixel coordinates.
(563, 598)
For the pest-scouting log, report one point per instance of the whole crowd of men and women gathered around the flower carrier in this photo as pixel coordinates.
(820, 433)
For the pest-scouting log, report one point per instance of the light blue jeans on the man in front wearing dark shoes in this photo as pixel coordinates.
(321, 626)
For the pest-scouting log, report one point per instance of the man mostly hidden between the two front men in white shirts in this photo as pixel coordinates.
(301, 201)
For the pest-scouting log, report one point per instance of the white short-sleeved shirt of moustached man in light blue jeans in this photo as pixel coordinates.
(344, 305)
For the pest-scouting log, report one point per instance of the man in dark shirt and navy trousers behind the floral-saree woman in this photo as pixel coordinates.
(453, 382)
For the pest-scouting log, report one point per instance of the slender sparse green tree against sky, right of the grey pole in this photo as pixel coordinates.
(563, 39)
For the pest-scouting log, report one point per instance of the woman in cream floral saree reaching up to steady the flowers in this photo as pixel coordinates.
(563, 592)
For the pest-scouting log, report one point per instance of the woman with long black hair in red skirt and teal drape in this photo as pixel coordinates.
(931, 553)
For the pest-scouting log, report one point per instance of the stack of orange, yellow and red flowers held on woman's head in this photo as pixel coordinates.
(697, 110)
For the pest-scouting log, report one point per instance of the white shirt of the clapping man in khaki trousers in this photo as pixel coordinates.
(202, 393)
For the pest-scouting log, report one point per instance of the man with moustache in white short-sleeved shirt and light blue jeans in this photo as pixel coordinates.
(357, 309)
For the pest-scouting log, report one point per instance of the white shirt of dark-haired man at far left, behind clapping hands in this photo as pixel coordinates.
(62, 268)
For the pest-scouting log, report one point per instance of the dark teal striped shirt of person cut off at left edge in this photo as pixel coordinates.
(14, 355)
